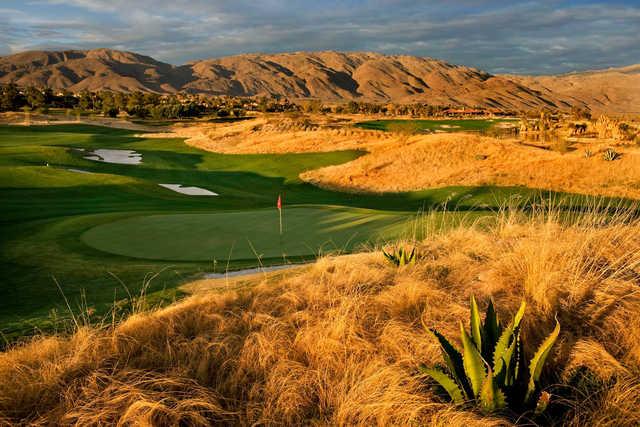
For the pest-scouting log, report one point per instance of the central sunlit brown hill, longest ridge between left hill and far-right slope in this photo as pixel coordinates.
(366, 76)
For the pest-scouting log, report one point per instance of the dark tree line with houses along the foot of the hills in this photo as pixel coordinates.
(184, 105)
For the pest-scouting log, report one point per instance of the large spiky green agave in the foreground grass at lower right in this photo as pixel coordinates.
(492, 371)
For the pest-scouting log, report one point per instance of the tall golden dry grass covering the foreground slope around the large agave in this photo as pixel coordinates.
(338, 342)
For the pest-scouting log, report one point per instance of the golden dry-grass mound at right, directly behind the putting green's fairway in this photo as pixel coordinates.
(458, 159)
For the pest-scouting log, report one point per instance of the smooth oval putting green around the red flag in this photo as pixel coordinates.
(247, 234)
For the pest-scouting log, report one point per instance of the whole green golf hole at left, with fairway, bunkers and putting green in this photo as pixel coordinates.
(91, 215)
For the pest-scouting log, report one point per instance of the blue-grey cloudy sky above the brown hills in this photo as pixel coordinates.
(526, 37)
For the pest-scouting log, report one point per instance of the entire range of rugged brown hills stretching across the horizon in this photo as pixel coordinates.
(330, 76)
